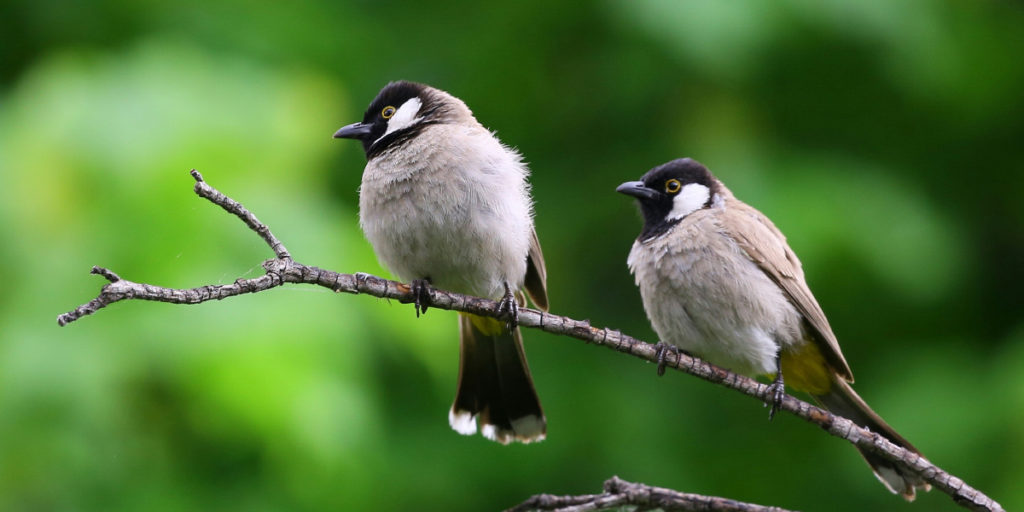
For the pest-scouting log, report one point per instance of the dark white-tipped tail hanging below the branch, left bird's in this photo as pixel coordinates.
(495, 387)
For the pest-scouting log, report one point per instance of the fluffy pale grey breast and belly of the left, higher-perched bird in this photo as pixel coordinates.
(463, 236)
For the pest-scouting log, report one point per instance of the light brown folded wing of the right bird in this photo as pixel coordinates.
(766, 246)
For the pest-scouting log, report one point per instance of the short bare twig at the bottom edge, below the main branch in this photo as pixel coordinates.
(619, 493)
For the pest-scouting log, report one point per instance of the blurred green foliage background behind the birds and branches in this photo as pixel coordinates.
(883, 138)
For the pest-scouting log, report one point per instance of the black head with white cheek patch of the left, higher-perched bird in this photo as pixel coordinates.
(398, 114)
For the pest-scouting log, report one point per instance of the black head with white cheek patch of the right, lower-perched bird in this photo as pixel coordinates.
(671, 192)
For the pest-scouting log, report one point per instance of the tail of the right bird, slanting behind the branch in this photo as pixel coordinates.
(842, 400)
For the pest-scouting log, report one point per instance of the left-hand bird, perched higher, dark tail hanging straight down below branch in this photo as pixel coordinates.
(446, 204)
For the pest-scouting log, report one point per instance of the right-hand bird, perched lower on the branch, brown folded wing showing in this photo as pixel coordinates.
(719, 281)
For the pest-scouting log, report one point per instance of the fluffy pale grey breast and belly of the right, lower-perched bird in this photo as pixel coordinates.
(703, 295)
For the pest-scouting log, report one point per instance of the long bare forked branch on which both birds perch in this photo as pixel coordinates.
(283, 270)
